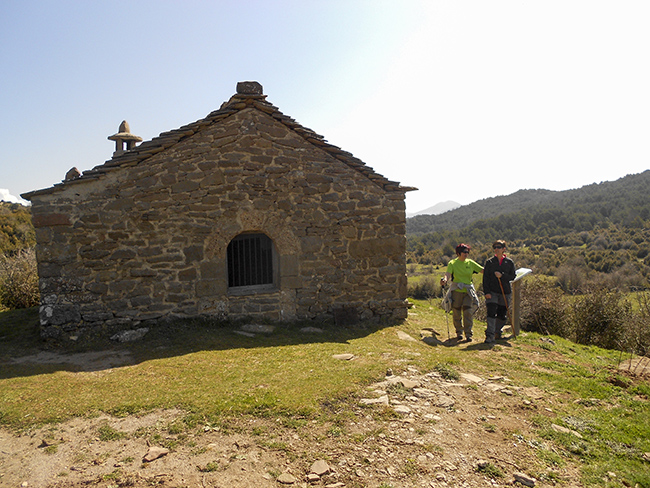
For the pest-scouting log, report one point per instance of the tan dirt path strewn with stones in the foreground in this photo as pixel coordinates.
(415, 429)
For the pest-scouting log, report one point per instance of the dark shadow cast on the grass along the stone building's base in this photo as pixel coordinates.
(24, 353)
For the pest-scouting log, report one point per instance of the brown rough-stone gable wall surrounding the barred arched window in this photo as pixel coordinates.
(147, 240)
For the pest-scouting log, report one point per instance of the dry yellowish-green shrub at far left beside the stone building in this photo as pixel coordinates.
(18, 280)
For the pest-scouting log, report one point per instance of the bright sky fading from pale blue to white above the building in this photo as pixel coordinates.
(463, 99)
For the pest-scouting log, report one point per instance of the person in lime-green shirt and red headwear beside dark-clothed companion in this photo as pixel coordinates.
(464, 300)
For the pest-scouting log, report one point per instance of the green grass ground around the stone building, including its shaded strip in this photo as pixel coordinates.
(214, 373)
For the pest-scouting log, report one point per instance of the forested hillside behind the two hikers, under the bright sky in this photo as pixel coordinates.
(577, 235)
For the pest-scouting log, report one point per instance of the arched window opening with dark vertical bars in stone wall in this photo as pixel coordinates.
(250, 261)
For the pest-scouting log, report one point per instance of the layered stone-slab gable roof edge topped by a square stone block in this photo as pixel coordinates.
(240, 101)
